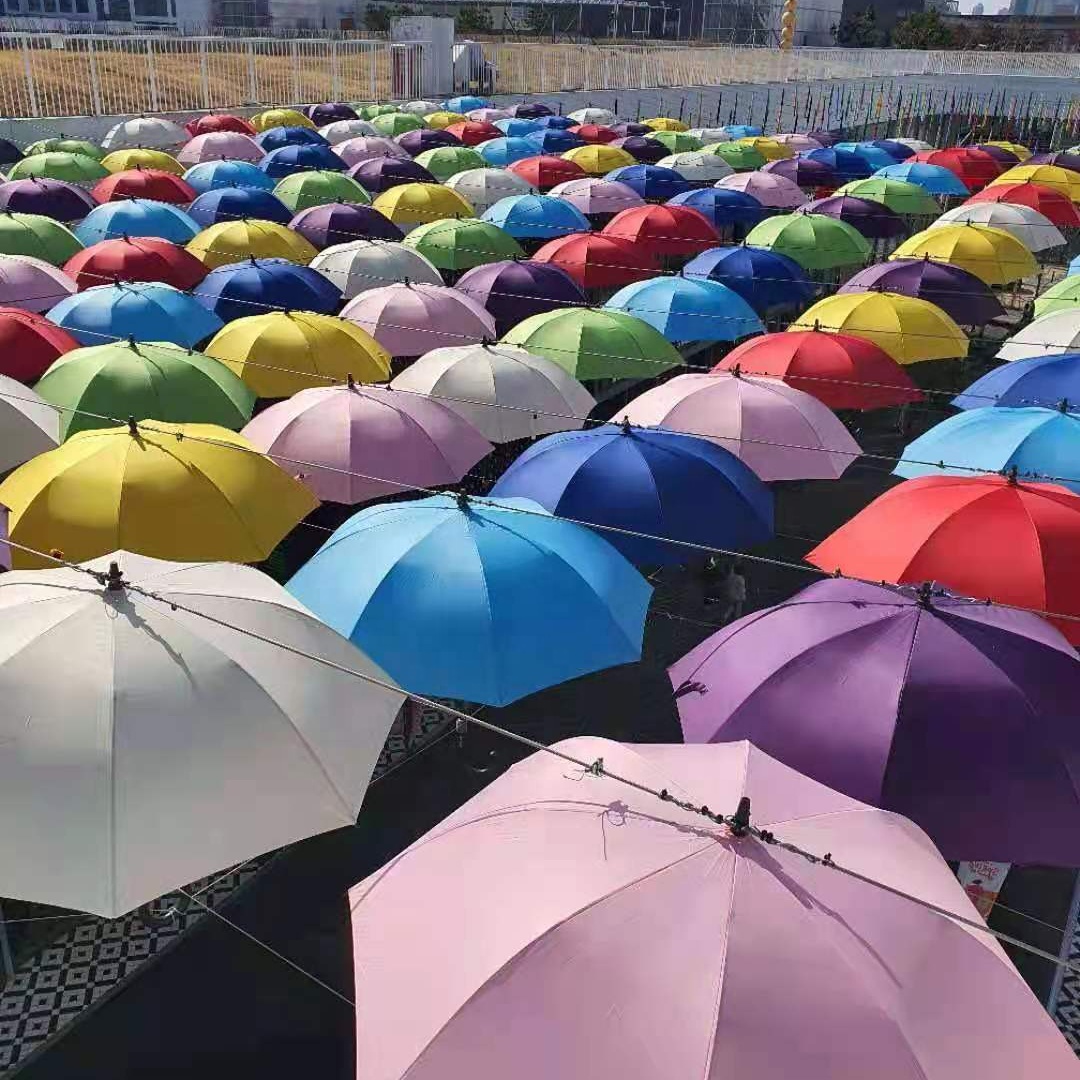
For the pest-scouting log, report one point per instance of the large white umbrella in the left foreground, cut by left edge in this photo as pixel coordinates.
(145, 747)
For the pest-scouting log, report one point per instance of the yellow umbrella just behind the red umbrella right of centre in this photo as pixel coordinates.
(908, 329)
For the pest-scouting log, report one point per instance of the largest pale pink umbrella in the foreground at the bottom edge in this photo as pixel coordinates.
(589, 930)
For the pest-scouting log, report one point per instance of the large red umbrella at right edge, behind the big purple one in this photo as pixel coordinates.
(987, 537)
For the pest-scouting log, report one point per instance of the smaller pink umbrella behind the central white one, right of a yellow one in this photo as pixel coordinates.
(409, 319)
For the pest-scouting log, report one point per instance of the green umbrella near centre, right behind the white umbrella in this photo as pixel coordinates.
(597, 345)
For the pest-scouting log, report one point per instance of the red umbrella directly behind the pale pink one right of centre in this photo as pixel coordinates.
(841, 371)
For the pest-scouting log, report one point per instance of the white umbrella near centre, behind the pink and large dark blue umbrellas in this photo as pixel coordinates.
(504, 391)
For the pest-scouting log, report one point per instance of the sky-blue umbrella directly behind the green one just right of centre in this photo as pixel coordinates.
(688, 309)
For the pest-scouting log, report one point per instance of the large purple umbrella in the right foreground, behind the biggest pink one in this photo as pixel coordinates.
(957, 715)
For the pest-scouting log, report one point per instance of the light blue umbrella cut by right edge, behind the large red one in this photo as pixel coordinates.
(1039, 443)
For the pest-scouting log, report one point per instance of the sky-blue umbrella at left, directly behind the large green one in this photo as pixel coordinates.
(146, 312)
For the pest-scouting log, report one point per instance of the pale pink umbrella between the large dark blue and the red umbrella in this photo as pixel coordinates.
(778, 431)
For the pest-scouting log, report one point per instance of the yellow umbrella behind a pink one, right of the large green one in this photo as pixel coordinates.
(283, 353)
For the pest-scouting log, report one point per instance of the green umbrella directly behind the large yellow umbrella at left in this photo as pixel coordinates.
(146, 381)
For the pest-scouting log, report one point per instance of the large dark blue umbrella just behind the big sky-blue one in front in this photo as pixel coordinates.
(645, 480)
